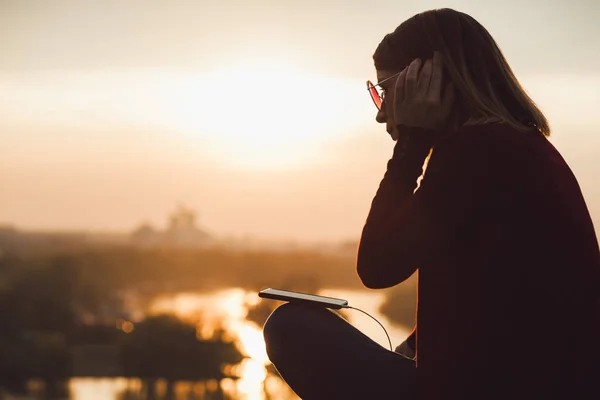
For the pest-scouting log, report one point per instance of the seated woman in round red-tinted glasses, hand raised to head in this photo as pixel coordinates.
(498, 230)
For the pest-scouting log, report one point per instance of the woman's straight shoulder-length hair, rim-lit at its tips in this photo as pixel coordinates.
(486, 87)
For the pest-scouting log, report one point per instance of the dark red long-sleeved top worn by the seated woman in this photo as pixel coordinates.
(508, 264)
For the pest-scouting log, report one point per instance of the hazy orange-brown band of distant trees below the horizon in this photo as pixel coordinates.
(194, 269)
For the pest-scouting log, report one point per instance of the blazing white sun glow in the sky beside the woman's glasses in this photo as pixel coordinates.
(268, 114)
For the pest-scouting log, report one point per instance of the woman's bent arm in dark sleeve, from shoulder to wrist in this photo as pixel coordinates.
(405, 228)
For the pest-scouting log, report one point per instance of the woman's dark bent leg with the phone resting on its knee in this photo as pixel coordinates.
(321, 356)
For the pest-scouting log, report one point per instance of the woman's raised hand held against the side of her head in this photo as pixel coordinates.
(418, 98)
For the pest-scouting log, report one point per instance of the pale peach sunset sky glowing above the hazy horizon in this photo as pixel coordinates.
(254, 112)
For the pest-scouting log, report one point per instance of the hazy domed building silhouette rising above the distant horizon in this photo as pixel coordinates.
(182, 231)
